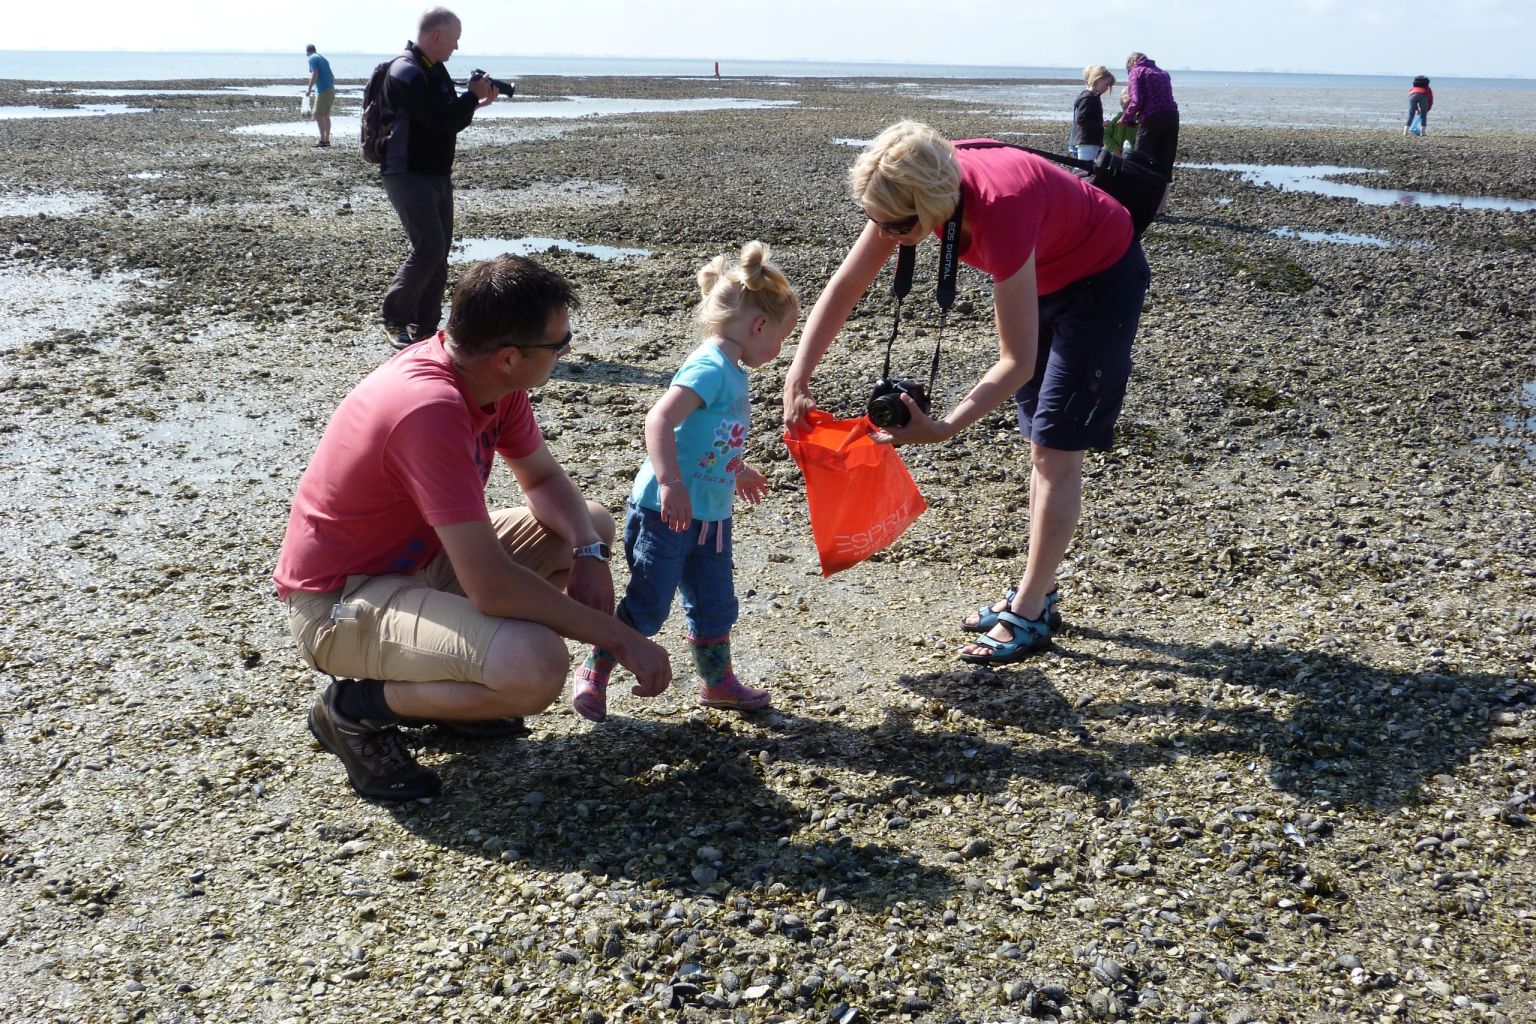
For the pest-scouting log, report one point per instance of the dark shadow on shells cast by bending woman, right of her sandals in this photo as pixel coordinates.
(1357, 733)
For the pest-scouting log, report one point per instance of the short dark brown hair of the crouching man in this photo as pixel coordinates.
(506, 302)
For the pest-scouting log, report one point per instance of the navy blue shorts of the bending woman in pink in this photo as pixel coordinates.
(1084, 358)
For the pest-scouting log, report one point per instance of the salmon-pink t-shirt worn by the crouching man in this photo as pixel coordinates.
(405, 452)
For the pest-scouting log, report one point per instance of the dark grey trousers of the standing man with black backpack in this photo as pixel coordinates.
(425, 205)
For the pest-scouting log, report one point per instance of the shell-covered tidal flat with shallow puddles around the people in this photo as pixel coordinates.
(1280, 765)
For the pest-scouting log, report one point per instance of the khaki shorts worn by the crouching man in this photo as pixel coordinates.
(415, 629)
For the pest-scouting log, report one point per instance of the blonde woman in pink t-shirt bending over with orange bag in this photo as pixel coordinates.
(1068, 285)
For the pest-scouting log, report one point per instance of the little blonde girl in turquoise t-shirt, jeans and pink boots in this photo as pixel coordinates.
(678, 523)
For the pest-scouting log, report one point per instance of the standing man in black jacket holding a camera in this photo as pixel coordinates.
(428, 114)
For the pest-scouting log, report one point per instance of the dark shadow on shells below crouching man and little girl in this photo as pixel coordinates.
(647, 801)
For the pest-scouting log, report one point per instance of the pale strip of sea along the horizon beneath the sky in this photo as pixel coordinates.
(1045, 93)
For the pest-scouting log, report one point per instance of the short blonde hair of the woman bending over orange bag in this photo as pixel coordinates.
(909, 170)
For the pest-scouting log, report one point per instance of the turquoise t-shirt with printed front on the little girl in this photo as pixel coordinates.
(710, 441)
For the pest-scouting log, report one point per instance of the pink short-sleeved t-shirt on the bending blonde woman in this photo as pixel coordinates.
(1019, 205)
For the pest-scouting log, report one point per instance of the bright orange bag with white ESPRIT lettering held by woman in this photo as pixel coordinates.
(861, 495)
